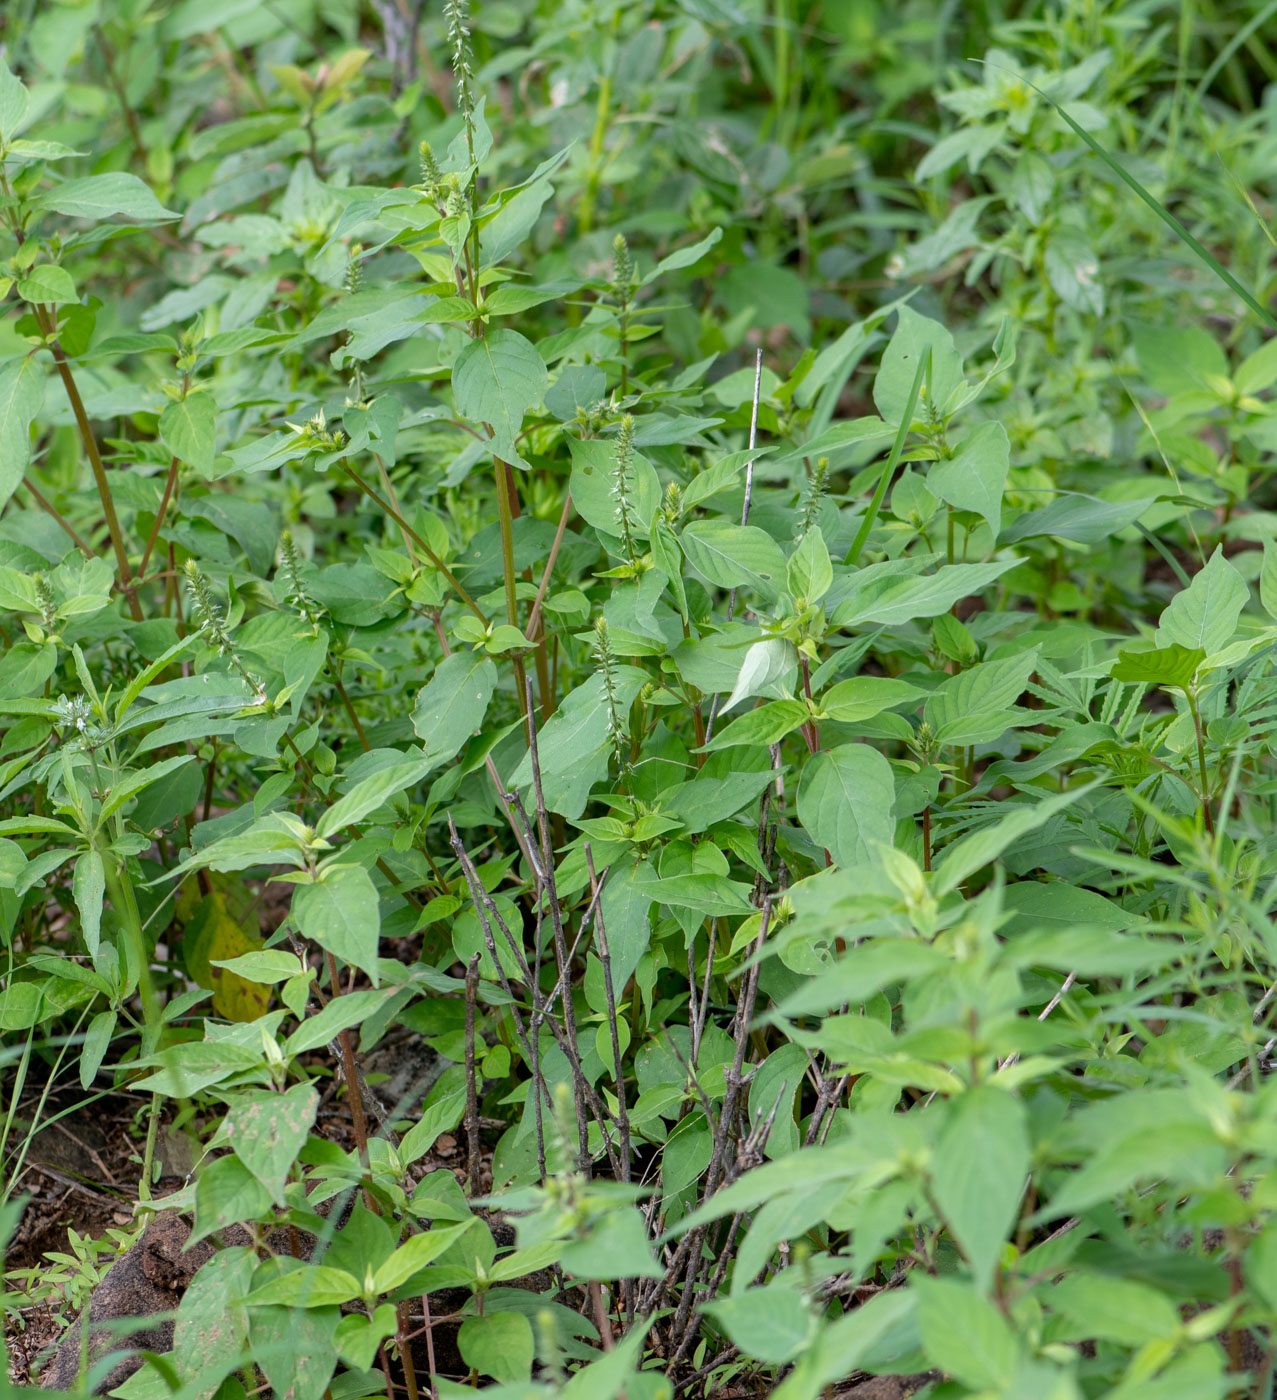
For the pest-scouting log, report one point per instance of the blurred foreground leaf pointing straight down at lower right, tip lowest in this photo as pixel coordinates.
(985, 1165)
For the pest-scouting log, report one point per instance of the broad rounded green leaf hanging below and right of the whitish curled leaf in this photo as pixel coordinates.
(845, 801)
